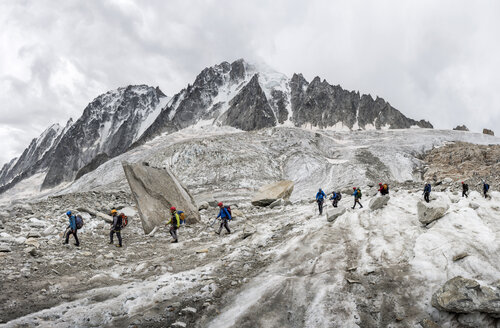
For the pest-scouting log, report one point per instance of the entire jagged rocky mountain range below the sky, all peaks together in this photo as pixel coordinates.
(239, 94)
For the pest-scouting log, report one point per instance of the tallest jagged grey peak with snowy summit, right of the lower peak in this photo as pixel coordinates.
(252, 97)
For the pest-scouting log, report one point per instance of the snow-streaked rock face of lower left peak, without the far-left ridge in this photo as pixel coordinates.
(108, 126)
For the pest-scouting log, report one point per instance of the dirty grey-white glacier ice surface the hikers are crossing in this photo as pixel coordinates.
(281, 267)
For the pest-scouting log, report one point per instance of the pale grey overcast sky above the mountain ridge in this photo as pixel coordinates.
(437, 60)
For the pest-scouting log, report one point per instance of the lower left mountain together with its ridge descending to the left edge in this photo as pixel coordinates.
(108, 126)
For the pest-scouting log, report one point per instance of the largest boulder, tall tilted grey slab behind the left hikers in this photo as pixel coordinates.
(156, 190)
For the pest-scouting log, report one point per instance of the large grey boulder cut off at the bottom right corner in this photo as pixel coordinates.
(461, 295)
